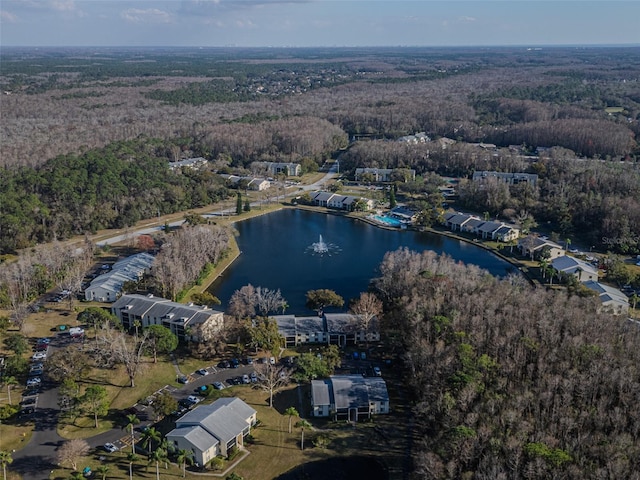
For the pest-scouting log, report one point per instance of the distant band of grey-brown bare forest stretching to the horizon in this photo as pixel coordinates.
(503, 97)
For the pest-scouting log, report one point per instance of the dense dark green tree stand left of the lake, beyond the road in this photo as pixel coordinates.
(113, 187)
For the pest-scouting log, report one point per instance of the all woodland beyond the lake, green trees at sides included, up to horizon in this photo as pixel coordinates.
(89, 149)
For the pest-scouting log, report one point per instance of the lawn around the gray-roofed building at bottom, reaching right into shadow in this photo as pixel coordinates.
(275, 450)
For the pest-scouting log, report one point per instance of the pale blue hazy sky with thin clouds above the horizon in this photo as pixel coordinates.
(308, 23)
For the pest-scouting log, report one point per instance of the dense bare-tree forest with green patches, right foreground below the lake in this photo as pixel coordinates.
(511, 382)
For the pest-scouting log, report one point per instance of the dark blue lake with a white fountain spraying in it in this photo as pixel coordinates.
(277, 253)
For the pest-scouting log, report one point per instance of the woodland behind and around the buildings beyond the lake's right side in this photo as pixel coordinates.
(597, 200)
